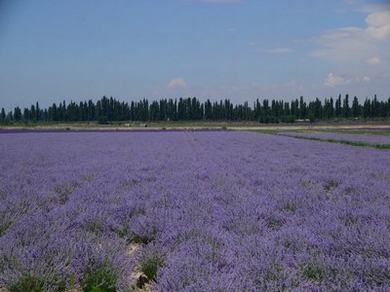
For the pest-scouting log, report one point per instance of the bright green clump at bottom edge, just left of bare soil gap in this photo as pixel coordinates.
(101, 279)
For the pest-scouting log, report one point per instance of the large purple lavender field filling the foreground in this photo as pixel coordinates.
(191, 211)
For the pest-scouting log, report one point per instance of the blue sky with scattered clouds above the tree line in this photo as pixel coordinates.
(238, 49)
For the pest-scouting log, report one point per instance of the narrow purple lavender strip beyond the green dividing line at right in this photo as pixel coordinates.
(359, 138)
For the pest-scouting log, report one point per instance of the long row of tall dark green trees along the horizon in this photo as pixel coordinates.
(183, 109)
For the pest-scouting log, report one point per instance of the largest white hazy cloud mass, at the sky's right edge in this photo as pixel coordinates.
(359, 55)
